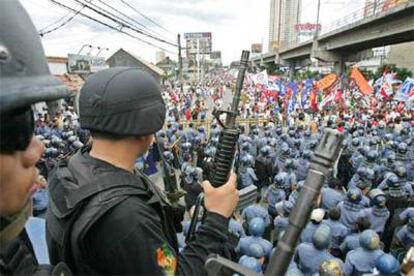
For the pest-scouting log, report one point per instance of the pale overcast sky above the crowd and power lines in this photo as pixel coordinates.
(235, 24)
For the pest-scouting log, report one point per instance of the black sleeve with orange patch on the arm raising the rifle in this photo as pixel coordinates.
(133, 242)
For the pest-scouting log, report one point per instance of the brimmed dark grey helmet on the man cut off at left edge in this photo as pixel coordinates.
(25, 76)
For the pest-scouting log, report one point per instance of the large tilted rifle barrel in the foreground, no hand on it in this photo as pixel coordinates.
(324, 158)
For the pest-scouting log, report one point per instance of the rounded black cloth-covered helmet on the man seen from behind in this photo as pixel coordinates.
(119, 101)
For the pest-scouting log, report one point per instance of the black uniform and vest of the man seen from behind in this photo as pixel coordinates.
(105, 220)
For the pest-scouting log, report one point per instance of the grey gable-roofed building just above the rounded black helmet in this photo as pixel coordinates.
(124, 58)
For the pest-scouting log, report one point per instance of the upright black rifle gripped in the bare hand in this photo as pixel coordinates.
(224, 158)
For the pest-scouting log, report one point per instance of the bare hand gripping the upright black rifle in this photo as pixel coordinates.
(222, 200)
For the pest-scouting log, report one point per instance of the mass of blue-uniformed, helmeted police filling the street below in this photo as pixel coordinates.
(346, 233)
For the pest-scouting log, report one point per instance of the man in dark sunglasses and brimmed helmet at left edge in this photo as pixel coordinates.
(24, 80)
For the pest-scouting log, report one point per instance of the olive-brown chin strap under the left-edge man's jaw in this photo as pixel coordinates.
(15, 224)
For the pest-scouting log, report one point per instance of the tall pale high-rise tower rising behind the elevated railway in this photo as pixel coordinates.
(284, 15)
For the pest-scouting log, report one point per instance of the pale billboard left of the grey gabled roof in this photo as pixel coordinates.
(82, 64)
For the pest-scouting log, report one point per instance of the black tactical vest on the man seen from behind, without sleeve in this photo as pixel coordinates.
(77, 201)
